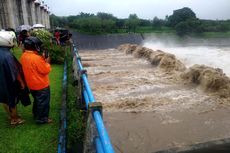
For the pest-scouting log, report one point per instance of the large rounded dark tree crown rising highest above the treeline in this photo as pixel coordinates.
(180, 15)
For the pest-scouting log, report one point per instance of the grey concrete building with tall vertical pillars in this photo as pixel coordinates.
(14, 13)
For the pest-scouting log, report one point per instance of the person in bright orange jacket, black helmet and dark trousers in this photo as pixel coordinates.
(36, 69)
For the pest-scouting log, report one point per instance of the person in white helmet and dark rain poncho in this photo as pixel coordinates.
(11, 77)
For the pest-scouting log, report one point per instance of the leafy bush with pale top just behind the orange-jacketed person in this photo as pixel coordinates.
(56, 52)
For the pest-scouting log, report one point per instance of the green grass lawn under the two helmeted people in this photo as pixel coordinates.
(30, 137)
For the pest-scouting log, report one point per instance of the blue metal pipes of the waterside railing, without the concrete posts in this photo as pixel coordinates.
(103, 143)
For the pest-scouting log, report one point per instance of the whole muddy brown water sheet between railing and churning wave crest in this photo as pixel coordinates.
(147, 109)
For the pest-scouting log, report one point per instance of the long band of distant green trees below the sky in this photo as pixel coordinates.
(182, 21)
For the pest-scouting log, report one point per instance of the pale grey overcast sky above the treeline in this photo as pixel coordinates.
(147, 9)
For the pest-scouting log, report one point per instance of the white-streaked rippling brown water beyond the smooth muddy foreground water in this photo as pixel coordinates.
(124, 83)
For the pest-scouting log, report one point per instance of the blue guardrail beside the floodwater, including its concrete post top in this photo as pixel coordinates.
(102, 142)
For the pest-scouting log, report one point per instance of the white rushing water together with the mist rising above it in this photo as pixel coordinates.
(210, 52)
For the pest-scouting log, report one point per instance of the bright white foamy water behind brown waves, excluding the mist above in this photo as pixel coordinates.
(217, 57)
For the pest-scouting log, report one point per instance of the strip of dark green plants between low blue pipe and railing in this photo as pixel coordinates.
(75, 116)
